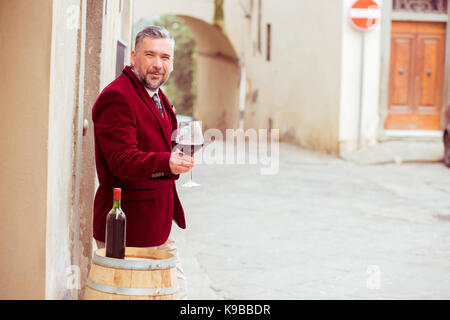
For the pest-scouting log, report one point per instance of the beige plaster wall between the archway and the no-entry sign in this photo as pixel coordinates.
(299, 88)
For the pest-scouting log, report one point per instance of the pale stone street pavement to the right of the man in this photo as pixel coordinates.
(321, 228)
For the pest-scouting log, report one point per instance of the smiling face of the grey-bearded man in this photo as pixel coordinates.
(153, 62)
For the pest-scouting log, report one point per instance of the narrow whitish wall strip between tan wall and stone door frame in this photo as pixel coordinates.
(62, 214)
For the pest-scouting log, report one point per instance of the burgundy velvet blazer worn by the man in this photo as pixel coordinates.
(132, 149)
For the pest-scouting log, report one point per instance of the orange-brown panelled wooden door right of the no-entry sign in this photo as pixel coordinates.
(416, 75)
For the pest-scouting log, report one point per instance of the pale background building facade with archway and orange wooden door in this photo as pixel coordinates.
(297, 66)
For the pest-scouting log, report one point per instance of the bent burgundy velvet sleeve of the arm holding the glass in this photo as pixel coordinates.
(116, 133)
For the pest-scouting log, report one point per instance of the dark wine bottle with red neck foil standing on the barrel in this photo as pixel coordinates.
(116, 228)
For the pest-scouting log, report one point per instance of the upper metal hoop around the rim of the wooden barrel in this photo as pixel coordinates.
(147, 264)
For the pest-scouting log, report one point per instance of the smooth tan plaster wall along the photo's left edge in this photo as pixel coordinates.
(25, 64)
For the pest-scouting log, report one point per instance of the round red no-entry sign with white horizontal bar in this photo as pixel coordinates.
(364, 14)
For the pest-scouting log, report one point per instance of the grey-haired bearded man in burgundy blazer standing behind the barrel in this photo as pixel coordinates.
(133, 125)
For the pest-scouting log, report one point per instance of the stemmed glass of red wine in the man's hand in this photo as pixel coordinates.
(190, 139)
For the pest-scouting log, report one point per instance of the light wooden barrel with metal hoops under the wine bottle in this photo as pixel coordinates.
(144, 274)
